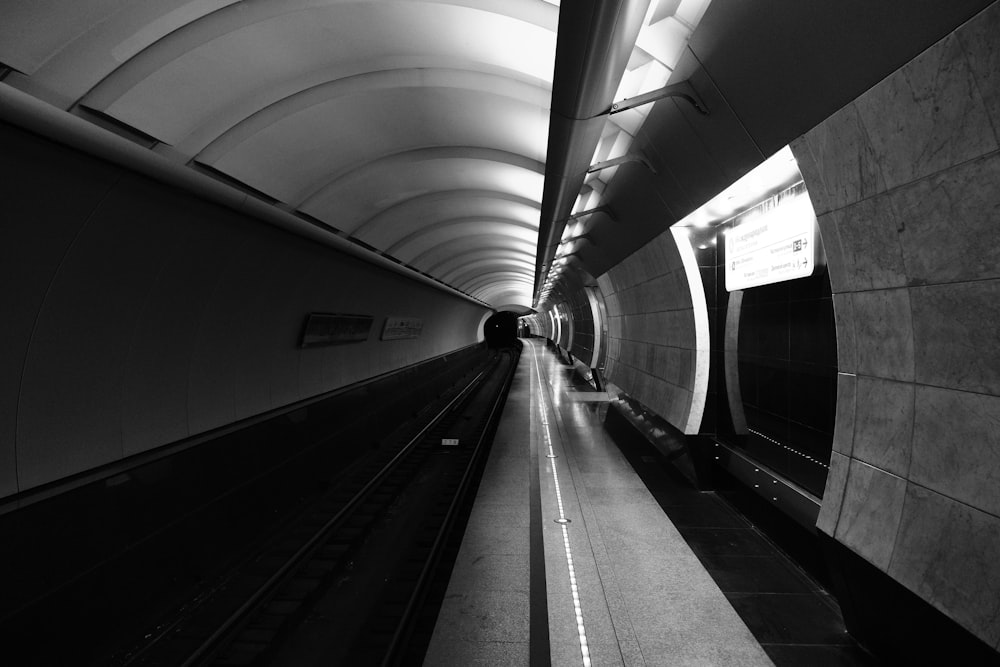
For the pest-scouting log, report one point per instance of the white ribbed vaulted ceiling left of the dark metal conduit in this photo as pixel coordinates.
(417, 128)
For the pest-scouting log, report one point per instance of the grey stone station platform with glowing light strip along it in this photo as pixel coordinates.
(568, 559)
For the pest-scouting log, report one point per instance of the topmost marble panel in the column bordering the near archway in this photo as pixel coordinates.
(845, 164)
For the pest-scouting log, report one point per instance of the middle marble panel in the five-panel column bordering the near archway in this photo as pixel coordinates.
(884, 332)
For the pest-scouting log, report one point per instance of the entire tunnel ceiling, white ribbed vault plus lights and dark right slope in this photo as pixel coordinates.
(443, 134)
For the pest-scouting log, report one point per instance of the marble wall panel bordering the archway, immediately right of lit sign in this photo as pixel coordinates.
(871, 254)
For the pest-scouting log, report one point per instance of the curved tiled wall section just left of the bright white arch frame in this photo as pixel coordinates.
(651, 329)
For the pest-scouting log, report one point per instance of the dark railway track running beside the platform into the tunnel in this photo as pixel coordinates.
(345, 583)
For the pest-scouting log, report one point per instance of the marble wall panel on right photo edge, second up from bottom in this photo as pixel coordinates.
(956, 446)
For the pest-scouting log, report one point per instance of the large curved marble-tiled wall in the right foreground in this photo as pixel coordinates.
(906, 183)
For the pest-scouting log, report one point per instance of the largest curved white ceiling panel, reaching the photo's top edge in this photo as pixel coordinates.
(264, 60)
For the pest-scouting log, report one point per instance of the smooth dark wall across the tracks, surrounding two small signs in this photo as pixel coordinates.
(137, 315)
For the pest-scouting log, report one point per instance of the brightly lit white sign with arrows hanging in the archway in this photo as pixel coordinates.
(776, 245)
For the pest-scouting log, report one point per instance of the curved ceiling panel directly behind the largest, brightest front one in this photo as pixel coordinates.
(293, 156)
